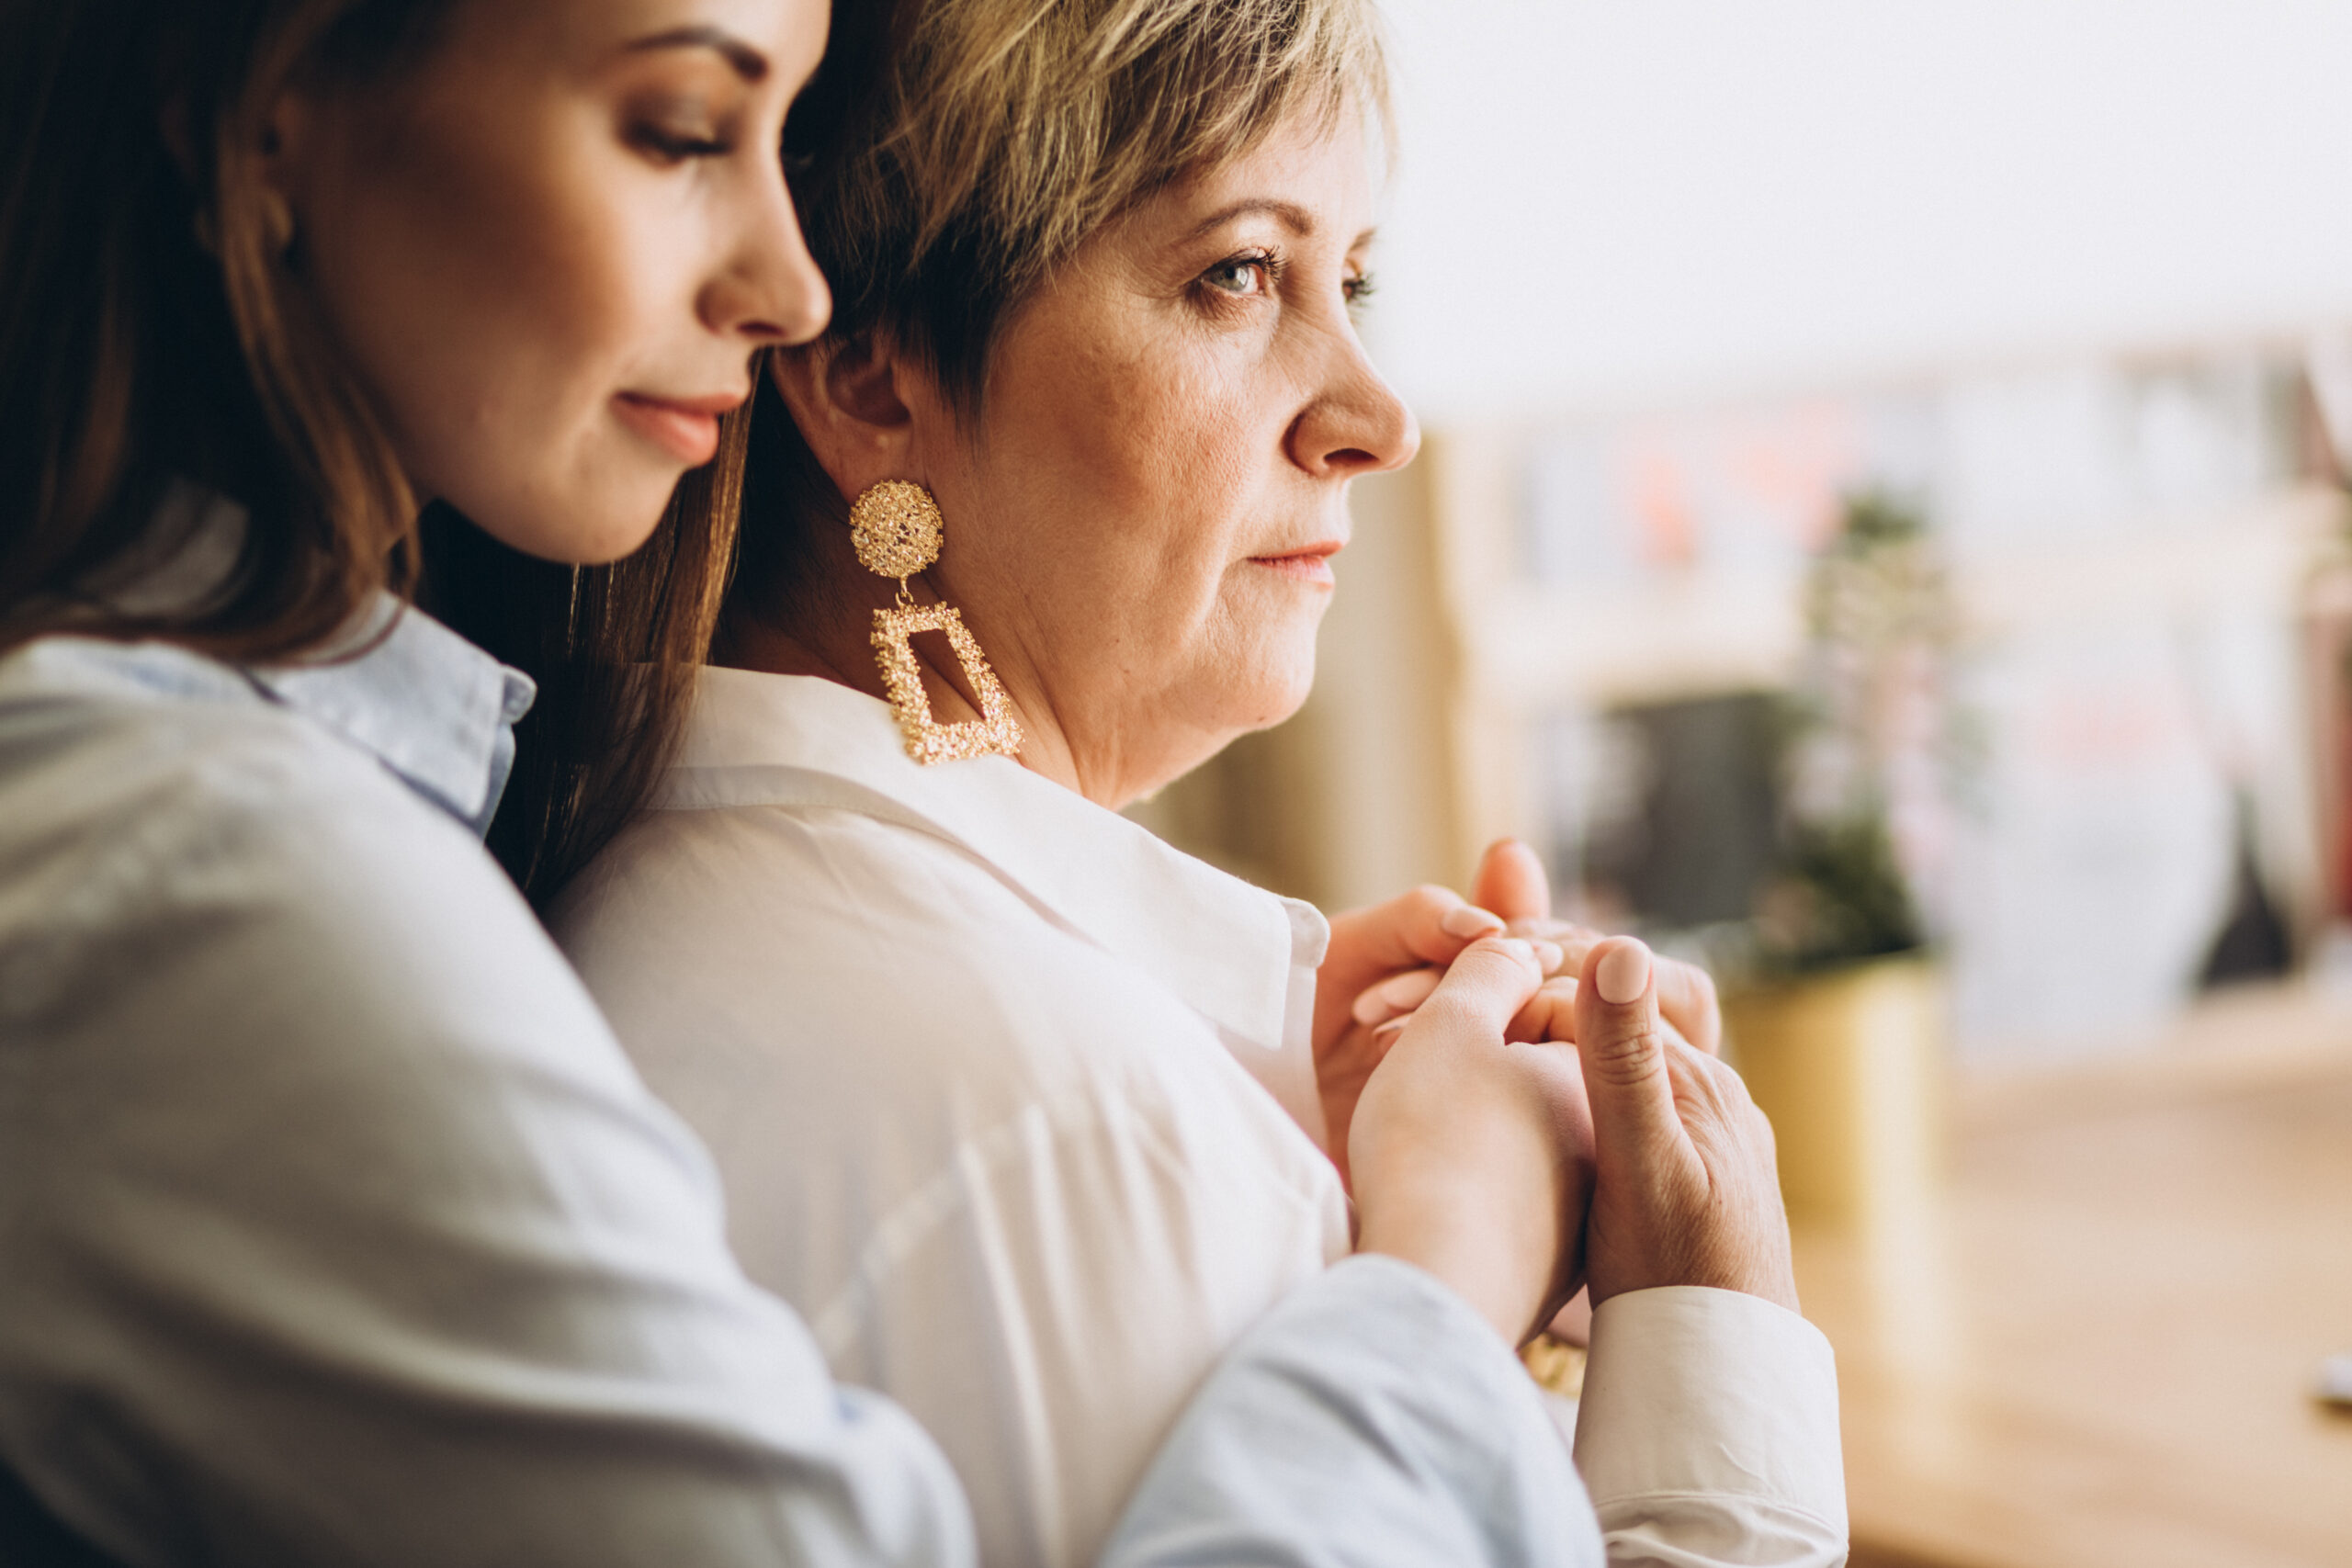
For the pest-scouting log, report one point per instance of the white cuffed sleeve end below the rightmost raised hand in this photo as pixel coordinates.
(1709, 1433)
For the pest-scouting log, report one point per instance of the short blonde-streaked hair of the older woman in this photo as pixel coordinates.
(954, 152)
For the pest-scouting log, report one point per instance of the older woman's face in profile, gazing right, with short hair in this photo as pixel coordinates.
(1144, 516)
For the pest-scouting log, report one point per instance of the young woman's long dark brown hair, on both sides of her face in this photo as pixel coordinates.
(149, 335)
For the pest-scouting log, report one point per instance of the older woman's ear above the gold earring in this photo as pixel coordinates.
(857, 408)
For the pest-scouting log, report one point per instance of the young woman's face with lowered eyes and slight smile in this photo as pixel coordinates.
(554, 248)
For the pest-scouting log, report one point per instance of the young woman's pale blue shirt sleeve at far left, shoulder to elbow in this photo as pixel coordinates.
(338, 1231)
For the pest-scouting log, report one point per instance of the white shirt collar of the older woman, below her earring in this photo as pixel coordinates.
(1238, 956)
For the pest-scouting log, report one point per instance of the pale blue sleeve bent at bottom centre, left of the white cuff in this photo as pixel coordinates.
(1372, 1421)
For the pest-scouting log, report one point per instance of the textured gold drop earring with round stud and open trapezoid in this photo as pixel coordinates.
(897, 528)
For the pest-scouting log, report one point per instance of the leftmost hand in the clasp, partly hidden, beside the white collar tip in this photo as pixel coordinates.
(1401, 944)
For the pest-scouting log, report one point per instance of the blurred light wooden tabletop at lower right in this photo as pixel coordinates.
(2097, 1348)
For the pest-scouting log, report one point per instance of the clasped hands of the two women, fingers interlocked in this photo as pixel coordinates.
(1544, 1111)
